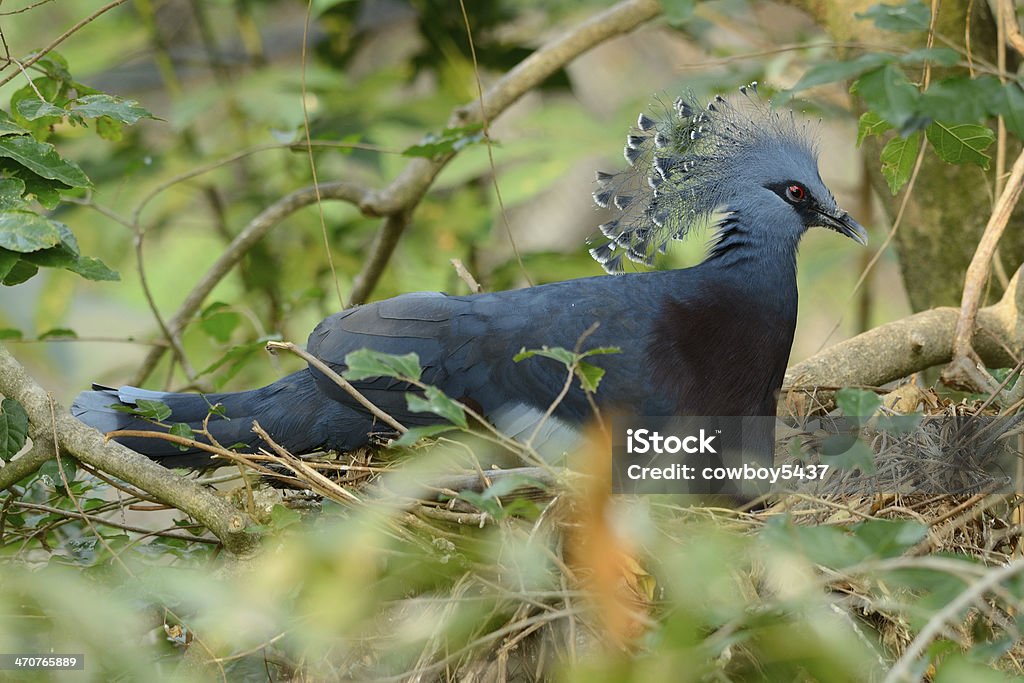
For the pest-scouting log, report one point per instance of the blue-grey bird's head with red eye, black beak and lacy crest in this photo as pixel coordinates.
(694, 164)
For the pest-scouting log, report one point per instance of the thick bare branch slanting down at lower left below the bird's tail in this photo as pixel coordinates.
(89, 446)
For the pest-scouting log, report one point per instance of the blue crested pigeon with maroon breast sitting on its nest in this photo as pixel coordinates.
(713, 339)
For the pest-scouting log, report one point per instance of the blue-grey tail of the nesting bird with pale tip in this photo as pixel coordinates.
(228, 417)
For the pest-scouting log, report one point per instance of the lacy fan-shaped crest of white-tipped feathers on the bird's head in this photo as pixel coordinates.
(685, 161)
